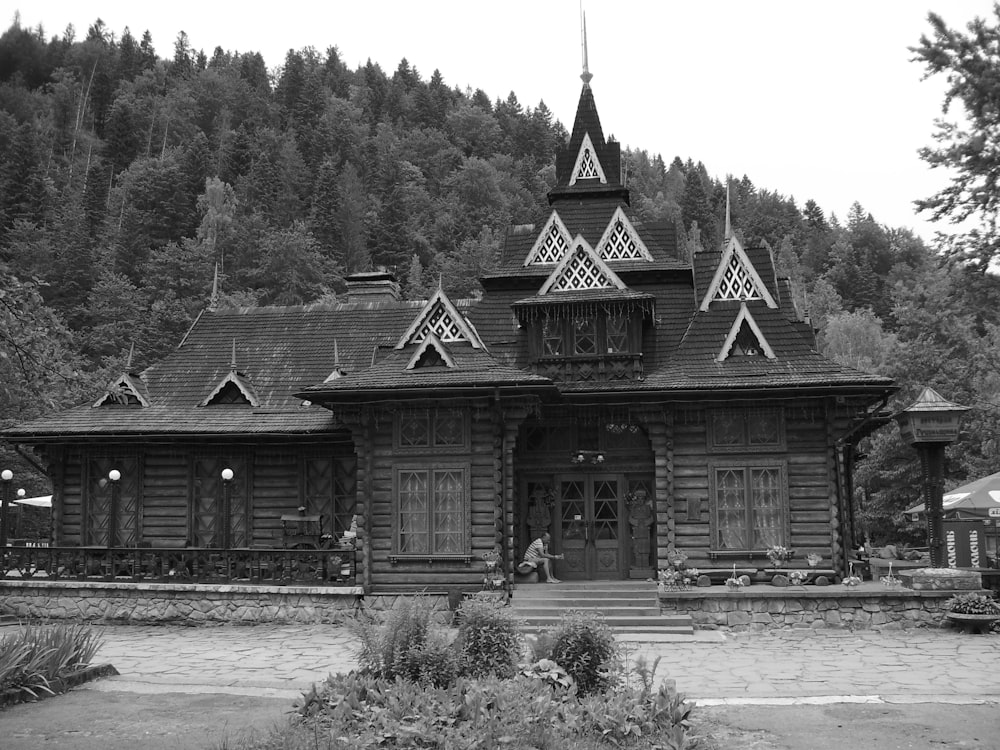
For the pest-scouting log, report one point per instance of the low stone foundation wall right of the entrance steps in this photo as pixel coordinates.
(775, 609)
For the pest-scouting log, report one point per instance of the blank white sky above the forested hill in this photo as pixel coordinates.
(811, 98)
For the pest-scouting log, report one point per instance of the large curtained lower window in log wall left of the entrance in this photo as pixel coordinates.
(431, 517)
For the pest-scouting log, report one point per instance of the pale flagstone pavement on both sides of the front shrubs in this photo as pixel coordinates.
(815, 666)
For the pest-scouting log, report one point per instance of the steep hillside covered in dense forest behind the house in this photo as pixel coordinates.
(129, 178)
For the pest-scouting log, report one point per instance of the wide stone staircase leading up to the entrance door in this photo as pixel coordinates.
(626, 606)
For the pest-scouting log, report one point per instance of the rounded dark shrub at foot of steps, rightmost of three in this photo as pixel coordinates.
(585, 647)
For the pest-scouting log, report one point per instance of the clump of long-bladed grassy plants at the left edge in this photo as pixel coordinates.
(34, 656)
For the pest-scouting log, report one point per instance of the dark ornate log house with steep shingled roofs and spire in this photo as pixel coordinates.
(605, 387)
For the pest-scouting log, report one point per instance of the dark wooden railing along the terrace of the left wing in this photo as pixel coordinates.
(336, 566)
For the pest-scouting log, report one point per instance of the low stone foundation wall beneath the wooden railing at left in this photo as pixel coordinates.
(195, 603)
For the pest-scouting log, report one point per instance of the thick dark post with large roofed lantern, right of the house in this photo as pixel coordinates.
(929, 424)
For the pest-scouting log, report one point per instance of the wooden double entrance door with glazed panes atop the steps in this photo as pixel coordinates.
(589, 529)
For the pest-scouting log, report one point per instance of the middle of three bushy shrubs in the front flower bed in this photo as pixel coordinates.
(489, 639)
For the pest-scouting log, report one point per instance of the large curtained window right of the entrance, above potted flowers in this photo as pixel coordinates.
(749, 507)
